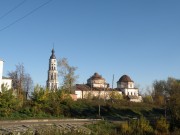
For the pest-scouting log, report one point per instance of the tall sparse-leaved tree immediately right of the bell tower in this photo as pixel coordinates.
(67, 72)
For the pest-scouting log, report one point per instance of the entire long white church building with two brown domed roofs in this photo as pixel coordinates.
(97, 87)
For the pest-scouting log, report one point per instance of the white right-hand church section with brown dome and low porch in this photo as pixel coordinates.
(126, 85)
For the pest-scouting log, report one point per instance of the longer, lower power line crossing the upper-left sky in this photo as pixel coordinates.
(21, 18)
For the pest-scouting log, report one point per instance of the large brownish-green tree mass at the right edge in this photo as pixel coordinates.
(168, 93)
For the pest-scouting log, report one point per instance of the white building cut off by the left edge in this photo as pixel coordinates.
(7, 82)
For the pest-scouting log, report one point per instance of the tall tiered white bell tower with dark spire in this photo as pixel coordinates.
(52, 81)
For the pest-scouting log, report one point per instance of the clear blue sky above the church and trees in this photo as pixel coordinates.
(140, 38)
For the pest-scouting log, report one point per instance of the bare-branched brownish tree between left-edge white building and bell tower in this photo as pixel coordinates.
(21, 81)
